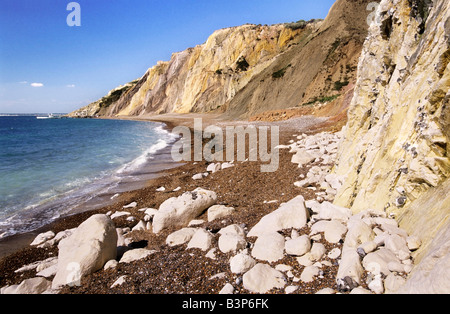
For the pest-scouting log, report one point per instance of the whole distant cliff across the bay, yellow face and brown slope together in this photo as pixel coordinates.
(246, 70)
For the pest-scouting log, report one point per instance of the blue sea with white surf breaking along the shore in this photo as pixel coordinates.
(52, 167)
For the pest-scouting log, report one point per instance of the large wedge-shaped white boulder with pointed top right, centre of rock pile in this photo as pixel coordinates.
(292, 214)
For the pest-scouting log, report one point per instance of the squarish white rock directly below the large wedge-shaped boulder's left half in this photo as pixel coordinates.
(269, 247)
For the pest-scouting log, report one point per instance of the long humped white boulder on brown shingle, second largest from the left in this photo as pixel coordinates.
(179, 211)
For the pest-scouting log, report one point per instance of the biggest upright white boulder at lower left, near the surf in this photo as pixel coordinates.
(89, 247)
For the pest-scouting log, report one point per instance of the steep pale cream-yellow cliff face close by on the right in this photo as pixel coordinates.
(395, 151)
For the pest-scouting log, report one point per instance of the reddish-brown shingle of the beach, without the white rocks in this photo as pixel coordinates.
(252, 192)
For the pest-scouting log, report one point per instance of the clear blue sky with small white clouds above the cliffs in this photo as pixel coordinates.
(47, 66)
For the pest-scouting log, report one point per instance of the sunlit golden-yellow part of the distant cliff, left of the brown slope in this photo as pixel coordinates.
(203, 78)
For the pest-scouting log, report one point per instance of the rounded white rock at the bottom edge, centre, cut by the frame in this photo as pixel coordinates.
(262, 278)
